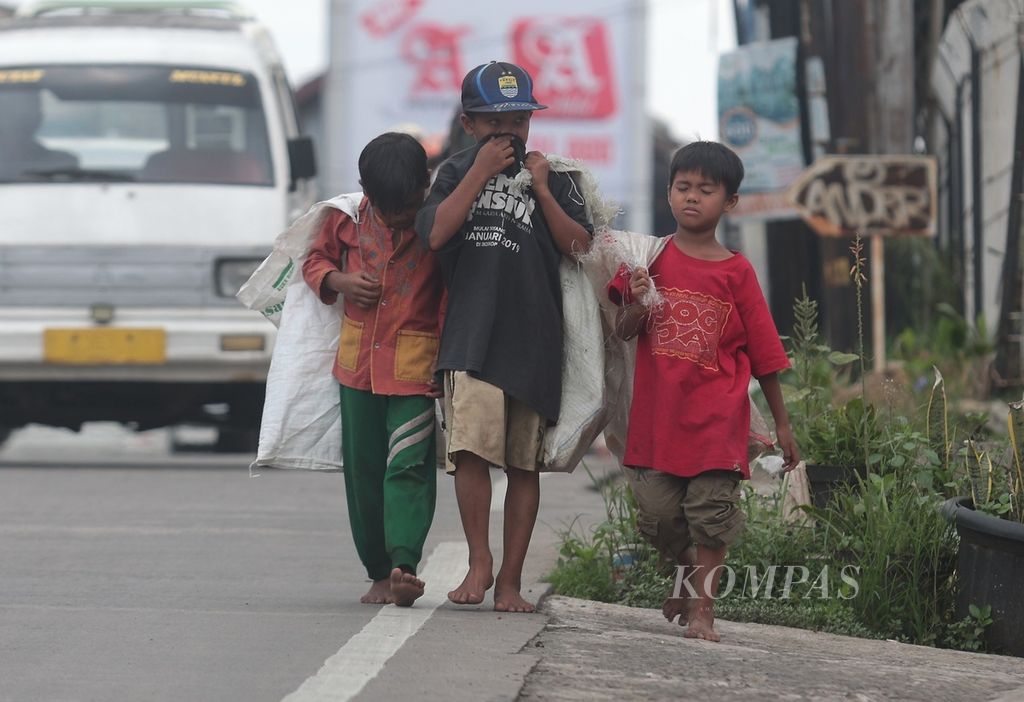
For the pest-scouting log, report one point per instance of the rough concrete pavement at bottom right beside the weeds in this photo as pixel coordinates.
(593, 651)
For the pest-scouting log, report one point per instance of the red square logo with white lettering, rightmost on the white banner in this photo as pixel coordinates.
(571, 62)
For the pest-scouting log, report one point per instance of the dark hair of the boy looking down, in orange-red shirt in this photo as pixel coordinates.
(393, 169)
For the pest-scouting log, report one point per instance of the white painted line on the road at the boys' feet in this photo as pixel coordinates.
(346, 674)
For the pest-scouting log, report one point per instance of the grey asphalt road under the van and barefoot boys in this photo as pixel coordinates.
(132, 574)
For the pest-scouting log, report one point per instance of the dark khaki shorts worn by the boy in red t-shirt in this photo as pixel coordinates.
(675, 512)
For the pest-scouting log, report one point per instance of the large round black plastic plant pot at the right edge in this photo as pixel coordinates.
(991, 572)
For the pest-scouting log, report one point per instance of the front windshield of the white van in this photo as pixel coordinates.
(130, 123)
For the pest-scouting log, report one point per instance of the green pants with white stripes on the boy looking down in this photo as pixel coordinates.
(390, 454)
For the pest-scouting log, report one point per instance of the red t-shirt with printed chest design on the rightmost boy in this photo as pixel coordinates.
(696, 357)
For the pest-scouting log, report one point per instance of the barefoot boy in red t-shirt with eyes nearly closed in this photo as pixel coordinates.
(698, 349)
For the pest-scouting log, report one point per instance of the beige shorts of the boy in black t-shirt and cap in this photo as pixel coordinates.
(483, 420)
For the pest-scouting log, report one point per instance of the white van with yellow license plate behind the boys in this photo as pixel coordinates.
(149, 156)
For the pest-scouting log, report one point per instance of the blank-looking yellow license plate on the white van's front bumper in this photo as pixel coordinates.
(105, 346)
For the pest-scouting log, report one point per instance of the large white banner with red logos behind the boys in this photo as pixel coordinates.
(400, 64)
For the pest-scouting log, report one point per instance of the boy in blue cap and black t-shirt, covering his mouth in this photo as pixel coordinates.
(499, 248)
